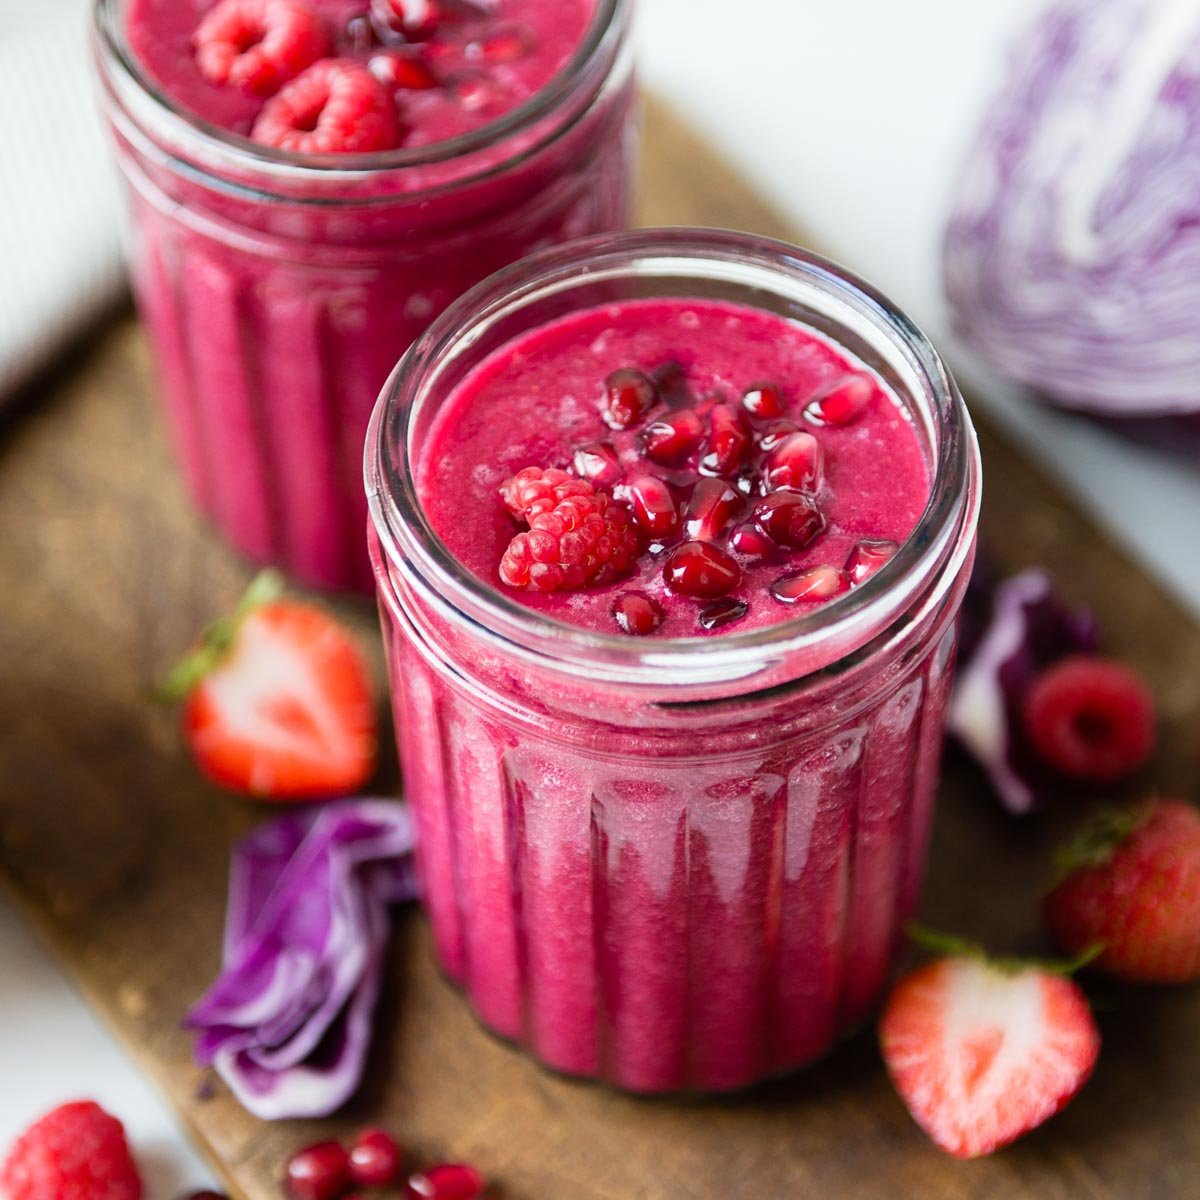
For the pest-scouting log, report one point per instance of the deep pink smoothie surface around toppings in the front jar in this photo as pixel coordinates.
(538, 400)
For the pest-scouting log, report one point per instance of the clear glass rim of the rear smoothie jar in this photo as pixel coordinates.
(235, 152)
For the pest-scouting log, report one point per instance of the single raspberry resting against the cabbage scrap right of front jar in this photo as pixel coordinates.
(1091, 719)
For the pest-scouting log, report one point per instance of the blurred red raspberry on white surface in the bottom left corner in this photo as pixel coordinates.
(77, 1153)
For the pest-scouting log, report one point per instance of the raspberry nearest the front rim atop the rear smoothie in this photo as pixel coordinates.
(338, 106)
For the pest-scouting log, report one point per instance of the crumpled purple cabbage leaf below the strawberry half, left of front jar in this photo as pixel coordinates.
(287, 1024)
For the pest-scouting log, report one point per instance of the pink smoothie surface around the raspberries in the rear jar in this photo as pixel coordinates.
(483, 61)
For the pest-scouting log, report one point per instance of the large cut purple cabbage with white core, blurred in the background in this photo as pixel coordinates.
(1072, 256)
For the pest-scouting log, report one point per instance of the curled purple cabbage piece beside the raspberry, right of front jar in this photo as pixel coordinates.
(1029, 631)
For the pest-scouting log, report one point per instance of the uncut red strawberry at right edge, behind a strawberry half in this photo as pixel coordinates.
(1133, 886)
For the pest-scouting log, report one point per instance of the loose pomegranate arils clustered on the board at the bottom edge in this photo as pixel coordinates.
(329, 1172)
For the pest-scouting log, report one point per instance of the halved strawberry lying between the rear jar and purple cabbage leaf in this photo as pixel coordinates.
(278, 701)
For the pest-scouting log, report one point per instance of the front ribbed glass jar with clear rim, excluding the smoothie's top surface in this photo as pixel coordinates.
(671, 865)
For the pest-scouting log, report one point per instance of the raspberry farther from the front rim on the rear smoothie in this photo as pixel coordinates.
(260, 45)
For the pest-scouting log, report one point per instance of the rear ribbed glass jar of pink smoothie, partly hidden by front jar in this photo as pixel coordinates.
(280, 290)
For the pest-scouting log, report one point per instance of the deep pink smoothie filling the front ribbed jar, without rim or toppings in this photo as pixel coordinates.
(668, 897)
